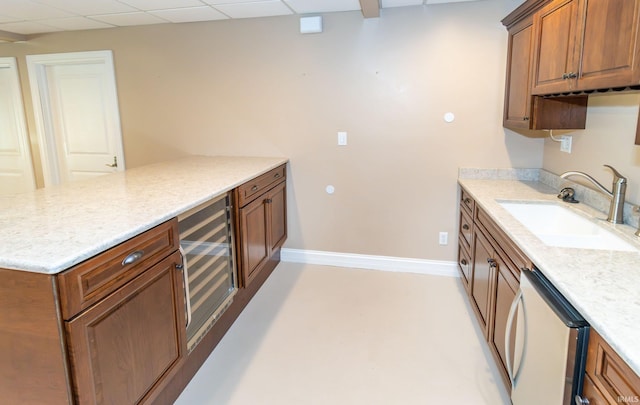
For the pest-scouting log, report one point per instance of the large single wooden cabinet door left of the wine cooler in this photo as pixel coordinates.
(121, 347)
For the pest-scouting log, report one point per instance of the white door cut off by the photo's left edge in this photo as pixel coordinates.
(16, 167)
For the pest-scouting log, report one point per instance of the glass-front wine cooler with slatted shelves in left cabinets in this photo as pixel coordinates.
(210, 280)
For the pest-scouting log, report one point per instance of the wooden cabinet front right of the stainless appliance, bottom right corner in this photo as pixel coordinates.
(610, 373)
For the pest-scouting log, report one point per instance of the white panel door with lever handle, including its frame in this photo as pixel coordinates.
(77, 109)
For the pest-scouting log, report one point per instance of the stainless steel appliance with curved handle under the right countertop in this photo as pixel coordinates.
(550, 346)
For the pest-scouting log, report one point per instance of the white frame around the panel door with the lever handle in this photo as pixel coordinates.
(37, 67)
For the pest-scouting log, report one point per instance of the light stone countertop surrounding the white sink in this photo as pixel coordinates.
(602, 285)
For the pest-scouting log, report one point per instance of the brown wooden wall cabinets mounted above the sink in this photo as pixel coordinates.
(560, 51)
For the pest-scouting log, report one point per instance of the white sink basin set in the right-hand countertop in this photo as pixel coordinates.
(556, 225)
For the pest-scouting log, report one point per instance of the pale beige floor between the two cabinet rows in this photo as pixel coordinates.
(329, 335)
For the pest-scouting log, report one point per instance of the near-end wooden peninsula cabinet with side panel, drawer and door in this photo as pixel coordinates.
(107, 331)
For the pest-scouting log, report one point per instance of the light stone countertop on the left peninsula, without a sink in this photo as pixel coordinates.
(52, 229)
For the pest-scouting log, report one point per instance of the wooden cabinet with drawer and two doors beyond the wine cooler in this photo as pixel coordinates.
(262, 218)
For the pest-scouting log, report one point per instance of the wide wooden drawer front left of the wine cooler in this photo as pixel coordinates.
(94, 279)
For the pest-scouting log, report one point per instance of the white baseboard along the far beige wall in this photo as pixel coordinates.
(386, 263)
